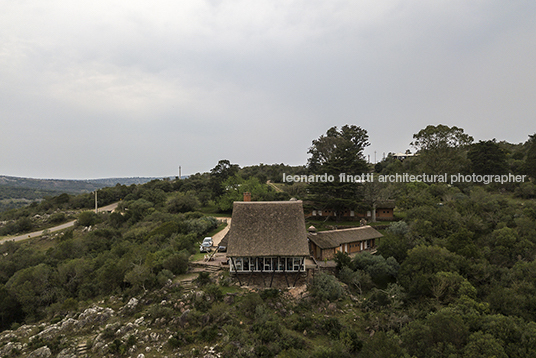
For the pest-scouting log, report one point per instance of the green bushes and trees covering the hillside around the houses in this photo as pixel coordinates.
(456, 277)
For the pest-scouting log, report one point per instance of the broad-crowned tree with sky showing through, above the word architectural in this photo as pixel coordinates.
(441, 148)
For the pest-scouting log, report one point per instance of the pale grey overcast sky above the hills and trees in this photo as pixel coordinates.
(109, 88)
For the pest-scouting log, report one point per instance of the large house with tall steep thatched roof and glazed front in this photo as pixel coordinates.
(267, 237)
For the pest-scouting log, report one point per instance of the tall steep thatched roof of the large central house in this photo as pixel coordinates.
(268, 228)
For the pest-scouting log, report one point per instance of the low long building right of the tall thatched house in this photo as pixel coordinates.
(325, 244)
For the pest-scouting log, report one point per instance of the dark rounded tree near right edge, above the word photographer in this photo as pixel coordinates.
(487, 158)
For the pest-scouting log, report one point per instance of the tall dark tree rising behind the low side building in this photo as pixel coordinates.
(336, 152)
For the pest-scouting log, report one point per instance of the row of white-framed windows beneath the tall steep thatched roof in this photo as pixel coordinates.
(267, 264)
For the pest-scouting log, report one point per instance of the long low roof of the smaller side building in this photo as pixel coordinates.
(334, 238)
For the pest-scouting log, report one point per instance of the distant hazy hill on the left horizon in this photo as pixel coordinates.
(16, 192)
